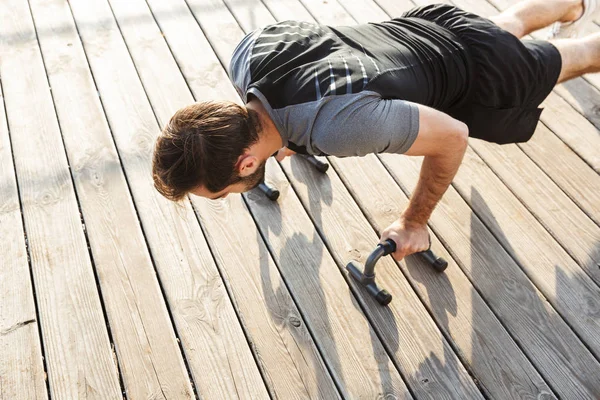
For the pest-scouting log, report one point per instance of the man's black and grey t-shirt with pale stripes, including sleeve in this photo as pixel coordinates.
(351, 90)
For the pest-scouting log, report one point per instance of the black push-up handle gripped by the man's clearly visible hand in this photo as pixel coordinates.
(367, 277)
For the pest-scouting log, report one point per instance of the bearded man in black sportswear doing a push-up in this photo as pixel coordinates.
(417, 85)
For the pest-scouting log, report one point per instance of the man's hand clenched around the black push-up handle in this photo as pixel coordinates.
(409, 238)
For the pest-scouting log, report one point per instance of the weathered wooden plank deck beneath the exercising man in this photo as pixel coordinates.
(107, 290)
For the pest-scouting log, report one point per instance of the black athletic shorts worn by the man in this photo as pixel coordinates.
(510, 77)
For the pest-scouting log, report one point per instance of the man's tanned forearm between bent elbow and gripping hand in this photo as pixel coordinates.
(436, 175)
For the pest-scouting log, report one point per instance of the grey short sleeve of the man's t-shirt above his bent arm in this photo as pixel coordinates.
(364, 123)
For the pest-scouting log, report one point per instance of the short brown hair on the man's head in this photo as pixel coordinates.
(200, 146)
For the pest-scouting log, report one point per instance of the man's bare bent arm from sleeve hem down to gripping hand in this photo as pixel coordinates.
(443, 141)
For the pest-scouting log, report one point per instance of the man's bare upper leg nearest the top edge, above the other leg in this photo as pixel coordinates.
(525, 17)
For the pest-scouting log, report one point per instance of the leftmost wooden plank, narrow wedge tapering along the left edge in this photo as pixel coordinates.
(21, 368)
